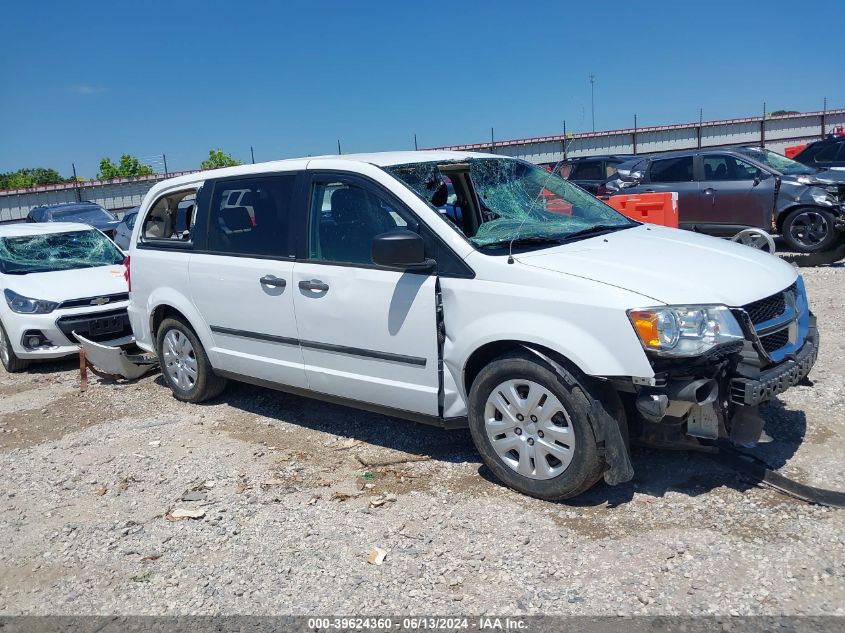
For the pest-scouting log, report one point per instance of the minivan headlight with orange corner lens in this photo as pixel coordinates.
(684, 330)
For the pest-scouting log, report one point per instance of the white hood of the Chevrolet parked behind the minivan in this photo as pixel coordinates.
(62, 285)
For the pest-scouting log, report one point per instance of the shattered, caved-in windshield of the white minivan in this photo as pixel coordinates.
(517, 202)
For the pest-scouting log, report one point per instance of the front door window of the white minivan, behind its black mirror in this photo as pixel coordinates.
(345, 217)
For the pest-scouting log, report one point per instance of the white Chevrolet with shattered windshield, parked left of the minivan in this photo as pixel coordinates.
(58, 279)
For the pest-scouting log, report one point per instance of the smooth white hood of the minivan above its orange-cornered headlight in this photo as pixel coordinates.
(670, 266)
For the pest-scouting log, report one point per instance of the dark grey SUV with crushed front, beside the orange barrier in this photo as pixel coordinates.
(723, 191)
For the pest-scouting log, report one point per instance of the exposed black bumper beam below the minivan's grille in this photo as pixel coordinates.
(771, 382)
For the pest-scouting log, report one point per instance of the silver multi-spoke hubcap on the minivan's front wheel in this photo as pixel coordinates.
(529, 429)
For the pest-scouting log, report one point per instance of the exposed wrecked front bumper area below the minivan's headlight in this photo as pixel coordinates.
(718, 399)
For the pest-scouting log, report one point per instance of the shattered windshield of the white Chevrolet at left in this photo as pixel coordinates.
(57, 251)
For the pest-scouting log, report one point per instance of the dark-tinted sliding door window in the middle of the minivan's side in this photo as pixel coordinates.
(251, 216)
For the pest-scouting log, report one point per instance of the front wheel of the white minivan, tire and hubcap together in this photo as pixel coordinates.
(532, 428)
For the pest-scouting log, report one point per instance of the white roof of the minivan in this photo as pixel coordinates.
(380, 159)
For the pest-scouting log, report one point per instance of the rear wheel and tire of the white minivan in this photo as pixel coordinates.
(184, 363)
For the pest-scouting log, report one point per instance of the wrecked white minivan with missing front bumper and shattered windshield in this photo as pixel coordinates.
(551, 325)
